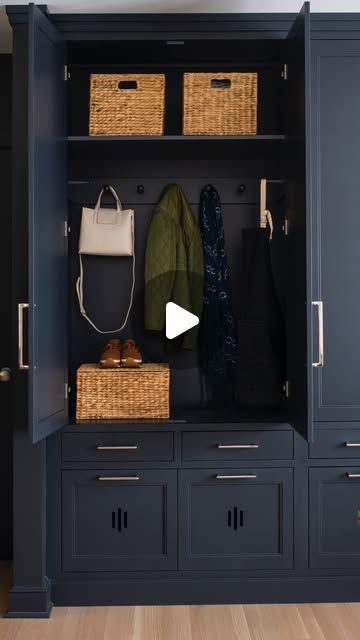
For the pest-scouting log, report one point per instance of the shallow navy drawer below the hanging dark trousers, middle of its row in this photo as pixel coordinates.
(237, 445)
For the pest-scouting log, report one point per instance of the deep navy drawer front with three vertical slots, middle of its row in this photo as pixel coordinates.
(236, 519)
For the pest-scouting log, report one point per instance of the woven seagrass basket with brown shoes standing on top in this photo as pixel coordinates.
(104, 394)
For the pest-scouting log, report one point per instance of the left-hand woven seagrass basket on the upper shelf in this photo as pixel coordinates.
(126, 104)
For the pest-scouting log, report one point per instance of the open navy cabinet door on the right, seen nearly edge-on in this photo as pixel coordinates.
(298, 214)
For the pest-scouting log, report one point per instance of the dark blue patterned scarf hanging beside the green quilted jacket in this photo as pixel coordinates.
(218, 345)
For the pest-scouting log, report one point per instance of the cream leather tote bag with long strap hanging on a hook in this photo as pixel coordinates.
(106, 232)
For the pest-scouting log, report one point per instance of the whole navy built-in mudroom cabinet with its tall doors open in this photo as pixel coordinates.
(239, 503)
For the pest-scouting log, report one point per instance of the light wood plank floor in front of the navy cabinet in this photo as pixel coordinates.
(230, 622)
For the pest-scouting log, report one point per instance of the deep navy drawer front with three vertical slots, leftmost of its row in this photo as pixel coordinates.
(120, 520)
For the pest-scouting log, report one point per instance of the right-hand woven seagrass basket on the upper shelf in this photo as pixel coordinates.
(220, 104)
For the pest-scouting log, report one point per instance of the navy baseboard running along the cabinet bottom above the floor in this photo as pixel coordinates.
(236, 591)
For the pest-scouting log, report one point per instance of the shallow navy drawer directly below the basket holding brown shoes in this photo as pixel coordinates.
(117, 447)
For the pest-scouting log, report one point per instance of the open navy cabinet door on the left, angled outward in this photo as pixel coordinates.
(48, 358)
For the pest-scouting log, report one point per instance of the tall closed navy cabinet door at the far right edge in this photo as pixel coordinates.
(336, 232)
